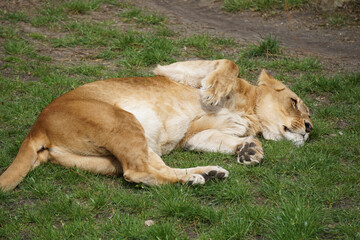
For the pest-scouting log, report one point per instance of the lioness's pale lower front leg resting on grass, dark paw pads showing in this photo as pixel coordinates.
(248, 149)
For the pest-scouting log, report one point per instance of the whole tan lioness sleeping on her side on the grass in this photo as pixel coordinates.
(124, 125)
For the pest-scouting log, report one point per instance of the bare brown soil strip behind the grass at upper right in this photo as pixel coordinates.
(303, 32)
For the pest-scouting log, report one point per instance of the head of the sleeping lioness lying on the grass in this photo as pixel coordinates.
(282, 114)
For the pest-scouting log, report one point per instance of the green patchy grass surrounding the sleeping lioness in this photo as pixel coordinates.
(309, 192)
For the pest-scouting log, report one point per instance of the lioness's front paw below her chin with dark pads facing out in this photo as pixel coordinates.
(250, 152)
